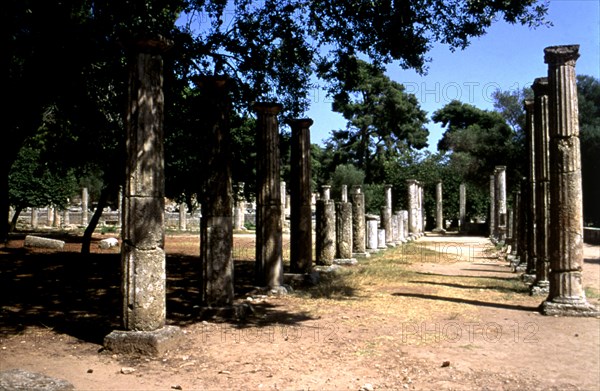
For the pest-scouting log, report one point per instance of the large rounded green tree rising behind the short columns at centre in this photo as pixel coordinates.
(382, 118)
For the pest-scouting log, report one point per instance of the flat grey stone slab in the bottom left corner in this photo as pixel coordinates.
(21, 380)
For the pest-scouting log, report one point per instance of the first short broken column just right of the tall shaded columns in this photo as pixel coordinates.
(325, 228)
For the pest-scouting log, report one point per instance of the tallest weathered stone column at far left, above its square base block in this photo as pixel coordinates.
(142, 251)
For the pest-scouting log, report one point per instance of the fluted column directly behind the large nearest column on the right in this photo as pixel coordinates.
(542, 184)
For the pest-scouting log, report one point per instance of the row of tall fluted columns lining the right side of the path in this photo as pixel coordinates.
(548, 218)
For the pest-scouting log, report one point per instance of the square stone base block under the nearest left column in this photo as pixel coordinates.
(145, 343)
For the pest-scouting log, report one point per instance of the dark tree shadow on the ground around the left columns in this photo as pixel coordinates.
(80, 295)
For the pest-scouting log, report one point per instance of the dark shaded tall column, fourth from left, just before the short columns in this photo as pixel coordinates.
(301, 197)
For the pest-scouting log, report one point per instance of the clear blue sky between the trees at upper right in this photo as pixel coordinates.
(508, 57)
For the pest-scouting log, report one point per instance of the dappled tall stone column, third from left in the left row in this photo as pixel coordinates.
(269, 266)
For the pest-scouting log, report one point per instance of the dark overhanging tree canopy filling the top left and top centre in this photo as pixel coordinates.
(270, 49)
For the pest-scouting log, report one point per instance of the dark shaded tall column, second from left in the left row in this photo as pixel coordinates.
(216, 226)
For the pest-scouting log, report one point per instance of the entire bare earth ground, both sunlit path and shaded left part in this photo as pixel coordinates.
(442, 313)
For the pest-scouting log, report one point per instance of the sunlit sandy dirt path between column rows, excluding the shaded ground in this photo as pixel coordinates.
(457, 319)
